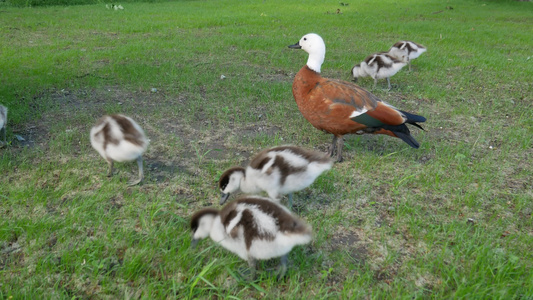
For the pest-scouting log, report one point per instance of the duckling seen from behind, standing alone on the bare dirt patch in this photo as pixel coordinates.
(119, 138)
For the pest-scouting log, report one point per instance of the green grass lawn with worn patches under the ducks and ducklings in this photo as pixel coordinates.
(389, 222)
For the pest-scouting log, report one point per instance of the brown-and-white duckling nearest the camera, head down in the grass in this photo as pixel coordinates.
(254, 228)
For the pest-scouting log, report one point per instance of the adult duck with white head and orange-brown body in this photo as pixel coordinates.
(341, 107)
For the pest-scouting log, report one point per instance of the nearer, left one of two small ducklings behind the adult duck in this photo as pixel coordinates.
(378, 66)
